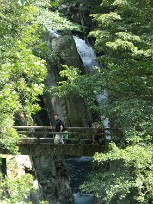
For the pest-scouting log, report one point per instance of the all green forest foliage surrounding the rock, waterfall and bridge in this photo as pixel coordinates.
(121, 32)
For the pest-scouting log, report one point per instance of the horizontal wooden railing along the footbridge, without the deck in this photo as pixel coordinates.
(75, 134)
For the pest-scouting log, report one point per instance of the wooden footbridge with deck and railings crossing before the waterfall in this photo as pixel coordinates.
(39, 140)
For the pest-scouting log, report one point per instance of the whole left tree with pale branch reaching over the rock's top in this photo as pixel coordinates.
(23, 62)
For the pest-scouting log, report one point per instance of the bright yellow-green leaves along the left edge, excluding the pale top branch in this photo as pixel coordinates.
(22, 74)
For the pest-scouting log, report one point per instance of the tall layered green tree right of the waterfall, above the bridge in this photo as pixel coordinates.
(123, 41)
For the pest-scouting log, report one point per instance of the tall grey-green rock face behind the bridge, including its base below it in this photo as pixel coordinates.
(50, 171)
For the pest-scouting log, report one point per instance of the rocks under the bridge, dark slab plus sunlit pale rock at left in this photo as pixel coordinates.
(51, 181)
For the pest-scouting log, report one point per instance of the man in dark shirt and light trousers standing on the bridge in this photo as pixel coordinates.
(58, 128)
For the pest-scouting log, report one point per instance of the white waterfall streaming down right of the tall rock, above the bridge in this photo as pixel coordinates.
(88, 57)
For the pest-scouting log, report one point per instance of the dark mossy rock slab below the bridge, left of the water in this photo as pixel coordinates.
(53, 179)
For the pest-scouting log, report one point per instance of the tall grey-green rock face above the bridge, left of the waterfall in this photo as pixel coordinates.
(72, 108)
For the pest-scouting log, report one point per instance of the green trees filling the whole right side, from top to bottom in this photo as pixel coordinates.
(123, 42)
